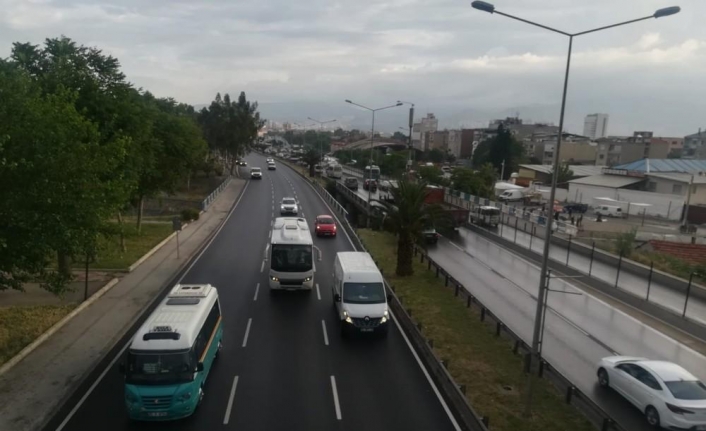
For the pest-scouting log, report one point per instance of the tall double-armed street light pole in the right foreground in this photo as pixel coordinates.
(487, 7)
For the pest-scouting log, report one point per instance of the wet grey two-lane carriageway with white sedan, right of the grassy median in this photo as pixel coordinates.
(579, 330)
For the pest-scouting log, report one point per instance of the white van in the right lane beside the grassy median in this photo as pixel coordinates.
(359, 294)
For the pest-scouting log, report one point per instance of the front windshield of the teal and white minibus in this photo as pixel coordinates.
(159, 368)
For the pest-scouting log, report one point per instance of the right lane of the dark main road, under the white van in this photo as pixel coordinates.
(380, 384)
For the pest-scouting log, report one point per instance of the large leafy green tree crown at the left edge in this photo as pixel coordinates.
(60, 182)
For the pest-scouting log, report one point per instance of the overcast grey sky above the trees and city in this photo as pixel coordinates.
(462, 64)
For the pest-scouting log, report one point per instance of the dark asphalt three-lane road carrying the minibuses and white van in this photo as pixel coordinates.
(283, 364)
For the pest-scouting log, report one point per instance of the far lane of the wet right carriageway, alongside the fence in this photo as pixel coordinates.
(618, 331)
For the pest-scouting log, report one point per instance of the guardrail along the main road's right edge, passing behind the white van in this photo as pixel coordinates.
(453, 394)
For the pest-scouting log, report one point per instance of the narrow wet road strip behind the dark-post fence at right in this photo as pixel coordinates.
(659, 293)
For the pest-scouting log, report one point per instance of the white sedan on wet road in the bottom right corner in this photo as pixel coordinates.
(669, 396)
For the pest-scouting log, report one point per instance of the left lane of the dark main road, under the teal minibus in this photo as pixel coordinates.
(221, 263)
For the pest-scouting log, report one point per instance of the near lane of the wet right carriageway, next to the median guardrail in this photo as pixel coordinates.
(566, 347)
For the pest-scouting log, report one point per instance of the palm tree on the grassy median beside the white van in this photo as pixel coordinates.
(408, 217)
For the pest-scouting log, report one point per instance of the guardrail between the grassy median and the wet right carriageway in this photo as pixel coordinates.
(573, 396)
